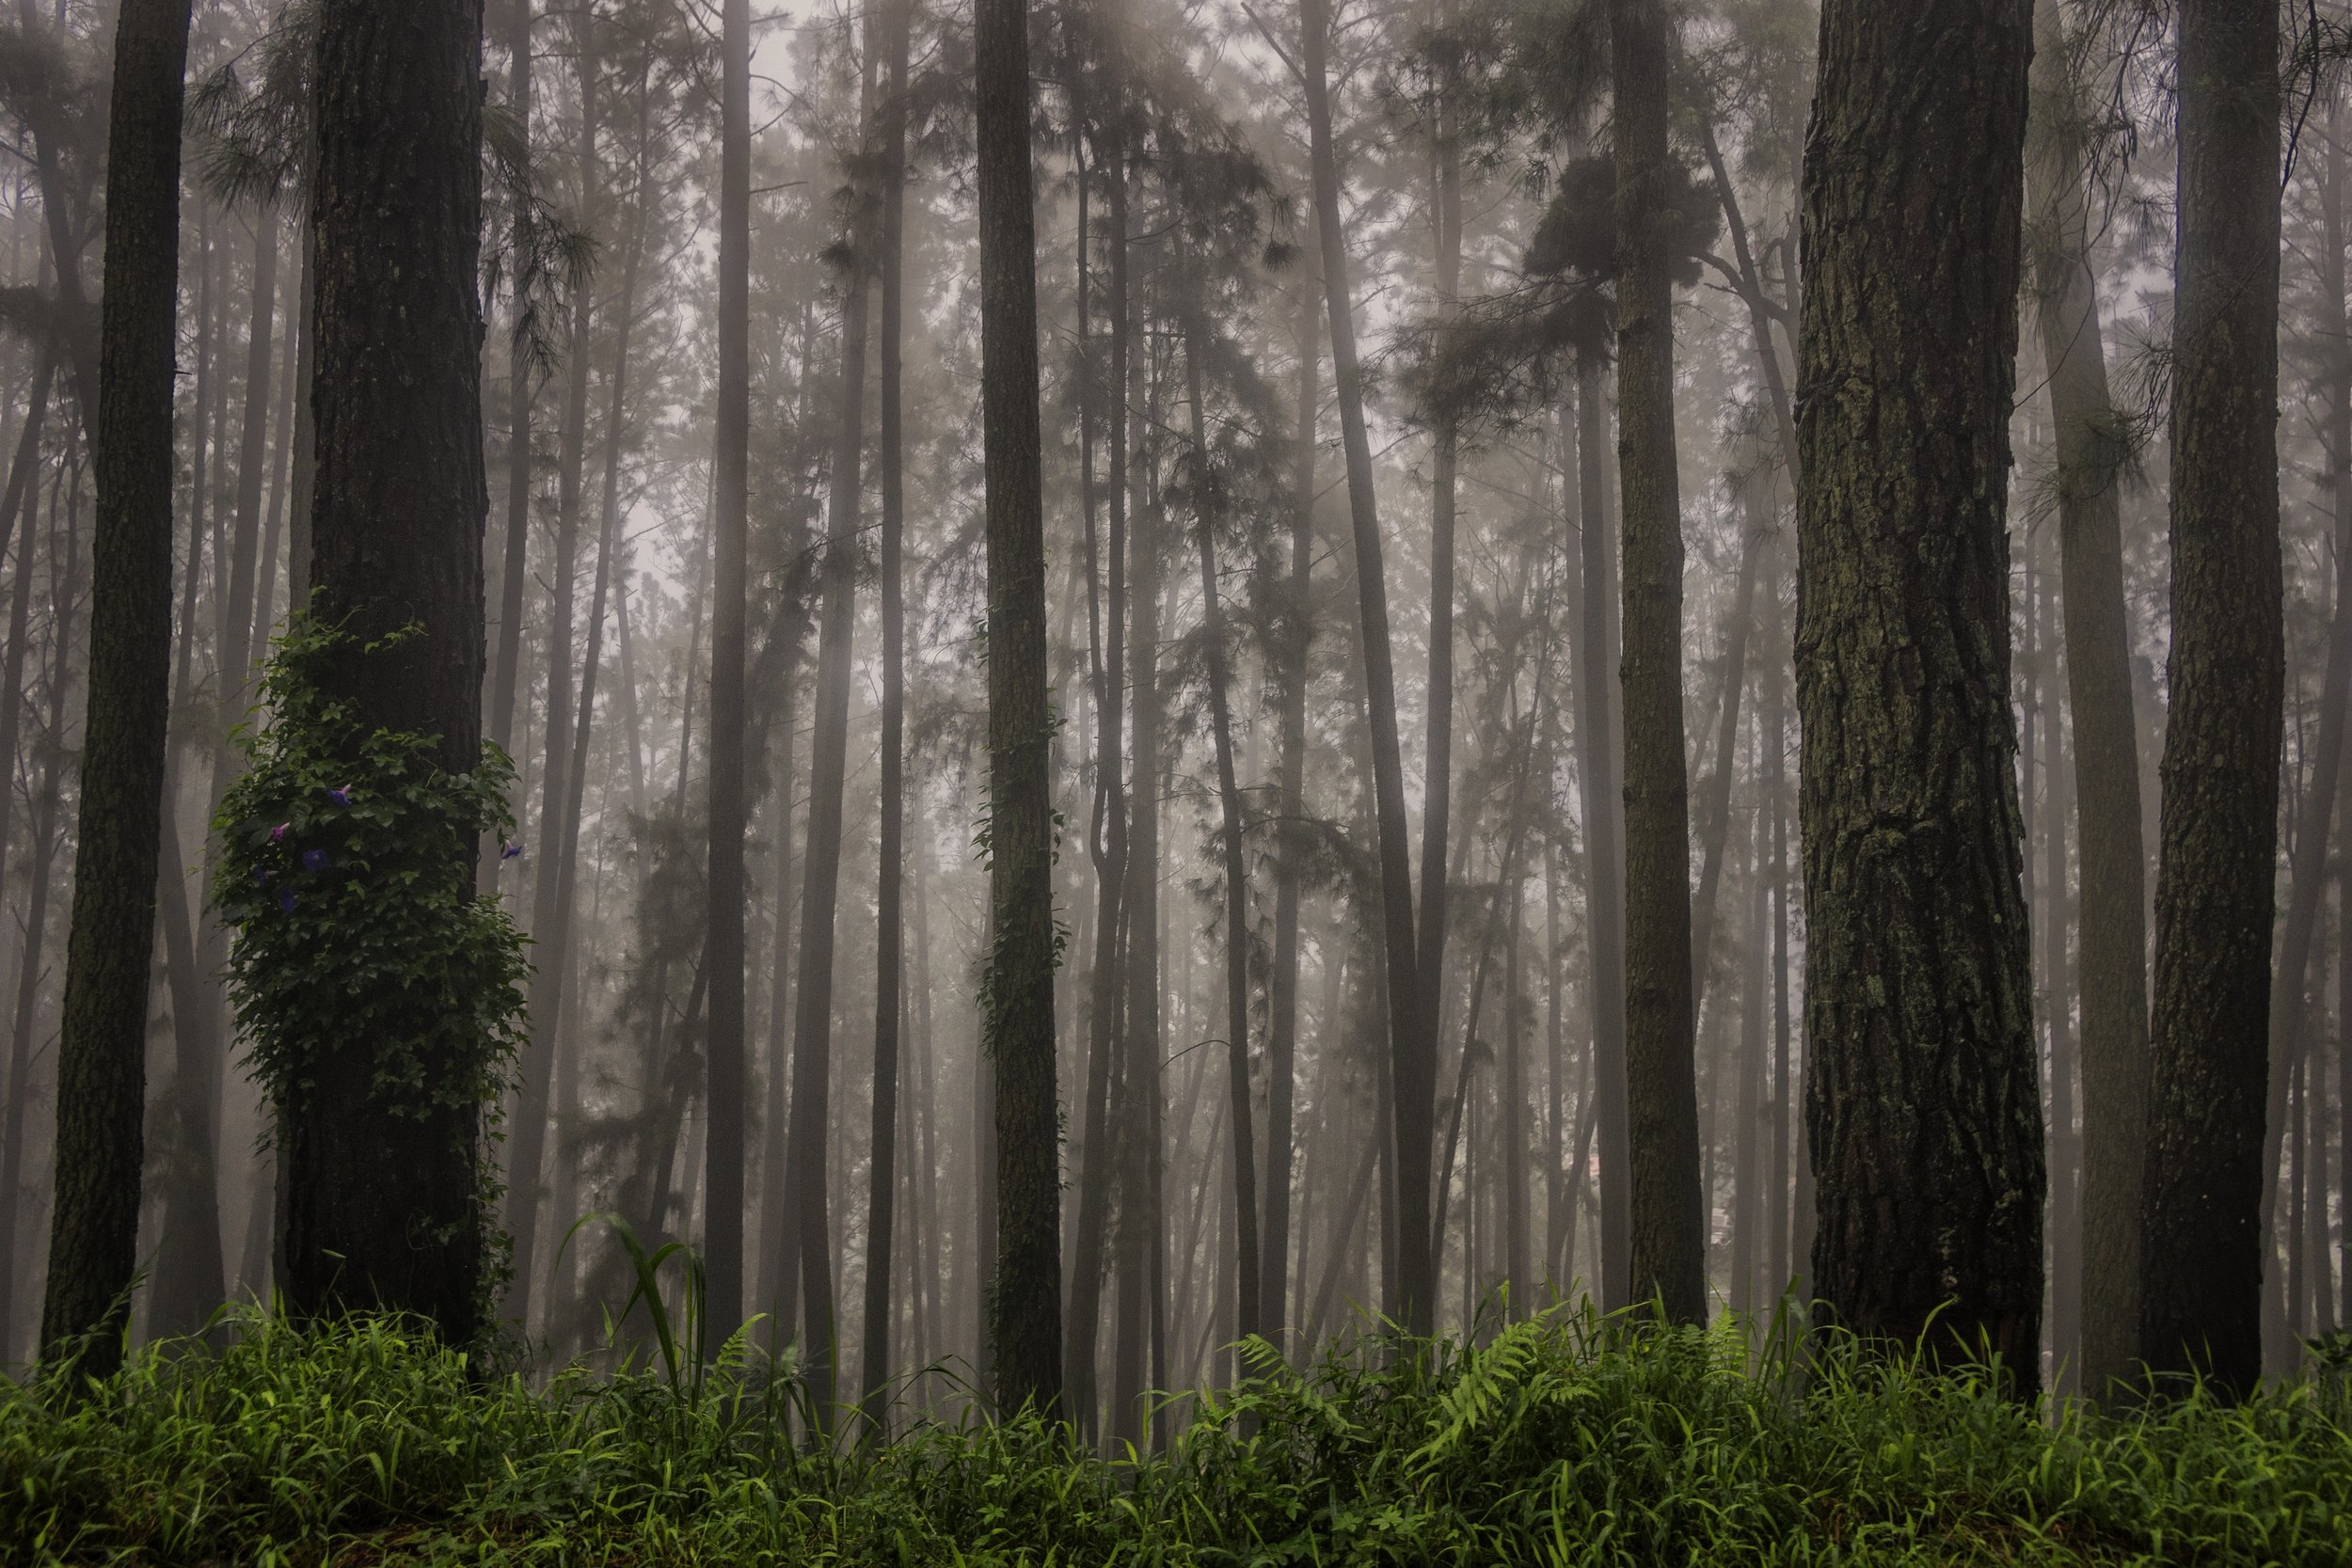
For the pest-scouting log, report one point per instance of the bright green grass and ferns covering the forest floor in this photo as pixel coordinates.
(1558, 1442)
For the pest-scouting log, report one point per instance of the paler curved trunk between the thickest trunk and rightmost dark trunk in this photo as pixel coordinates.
(2113, 934)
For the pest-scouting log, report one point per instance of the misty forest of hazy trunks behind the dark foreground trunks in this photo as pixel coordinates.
(1309, 281)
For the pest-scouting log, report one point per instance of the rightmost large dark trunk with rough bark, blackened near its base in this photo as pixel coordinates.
(2203, 1214)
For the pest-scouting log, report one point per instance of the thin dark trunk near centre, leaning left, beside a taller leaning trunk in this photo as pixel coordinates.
(1229, 793)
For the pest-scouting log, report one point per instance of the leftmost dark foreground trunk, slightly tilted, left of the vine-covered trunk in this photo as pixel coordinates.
(102, 1036)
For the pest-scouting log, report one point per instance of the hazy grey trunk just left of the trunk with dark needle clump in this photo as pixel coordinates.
(1598, 772)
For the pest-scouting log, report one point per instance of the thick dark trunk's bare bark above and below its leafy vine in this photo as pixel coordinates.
(385, 1205)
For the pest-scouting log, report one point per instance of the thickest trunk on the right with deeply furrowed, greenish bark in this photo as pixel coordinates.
(1923, 1094)
